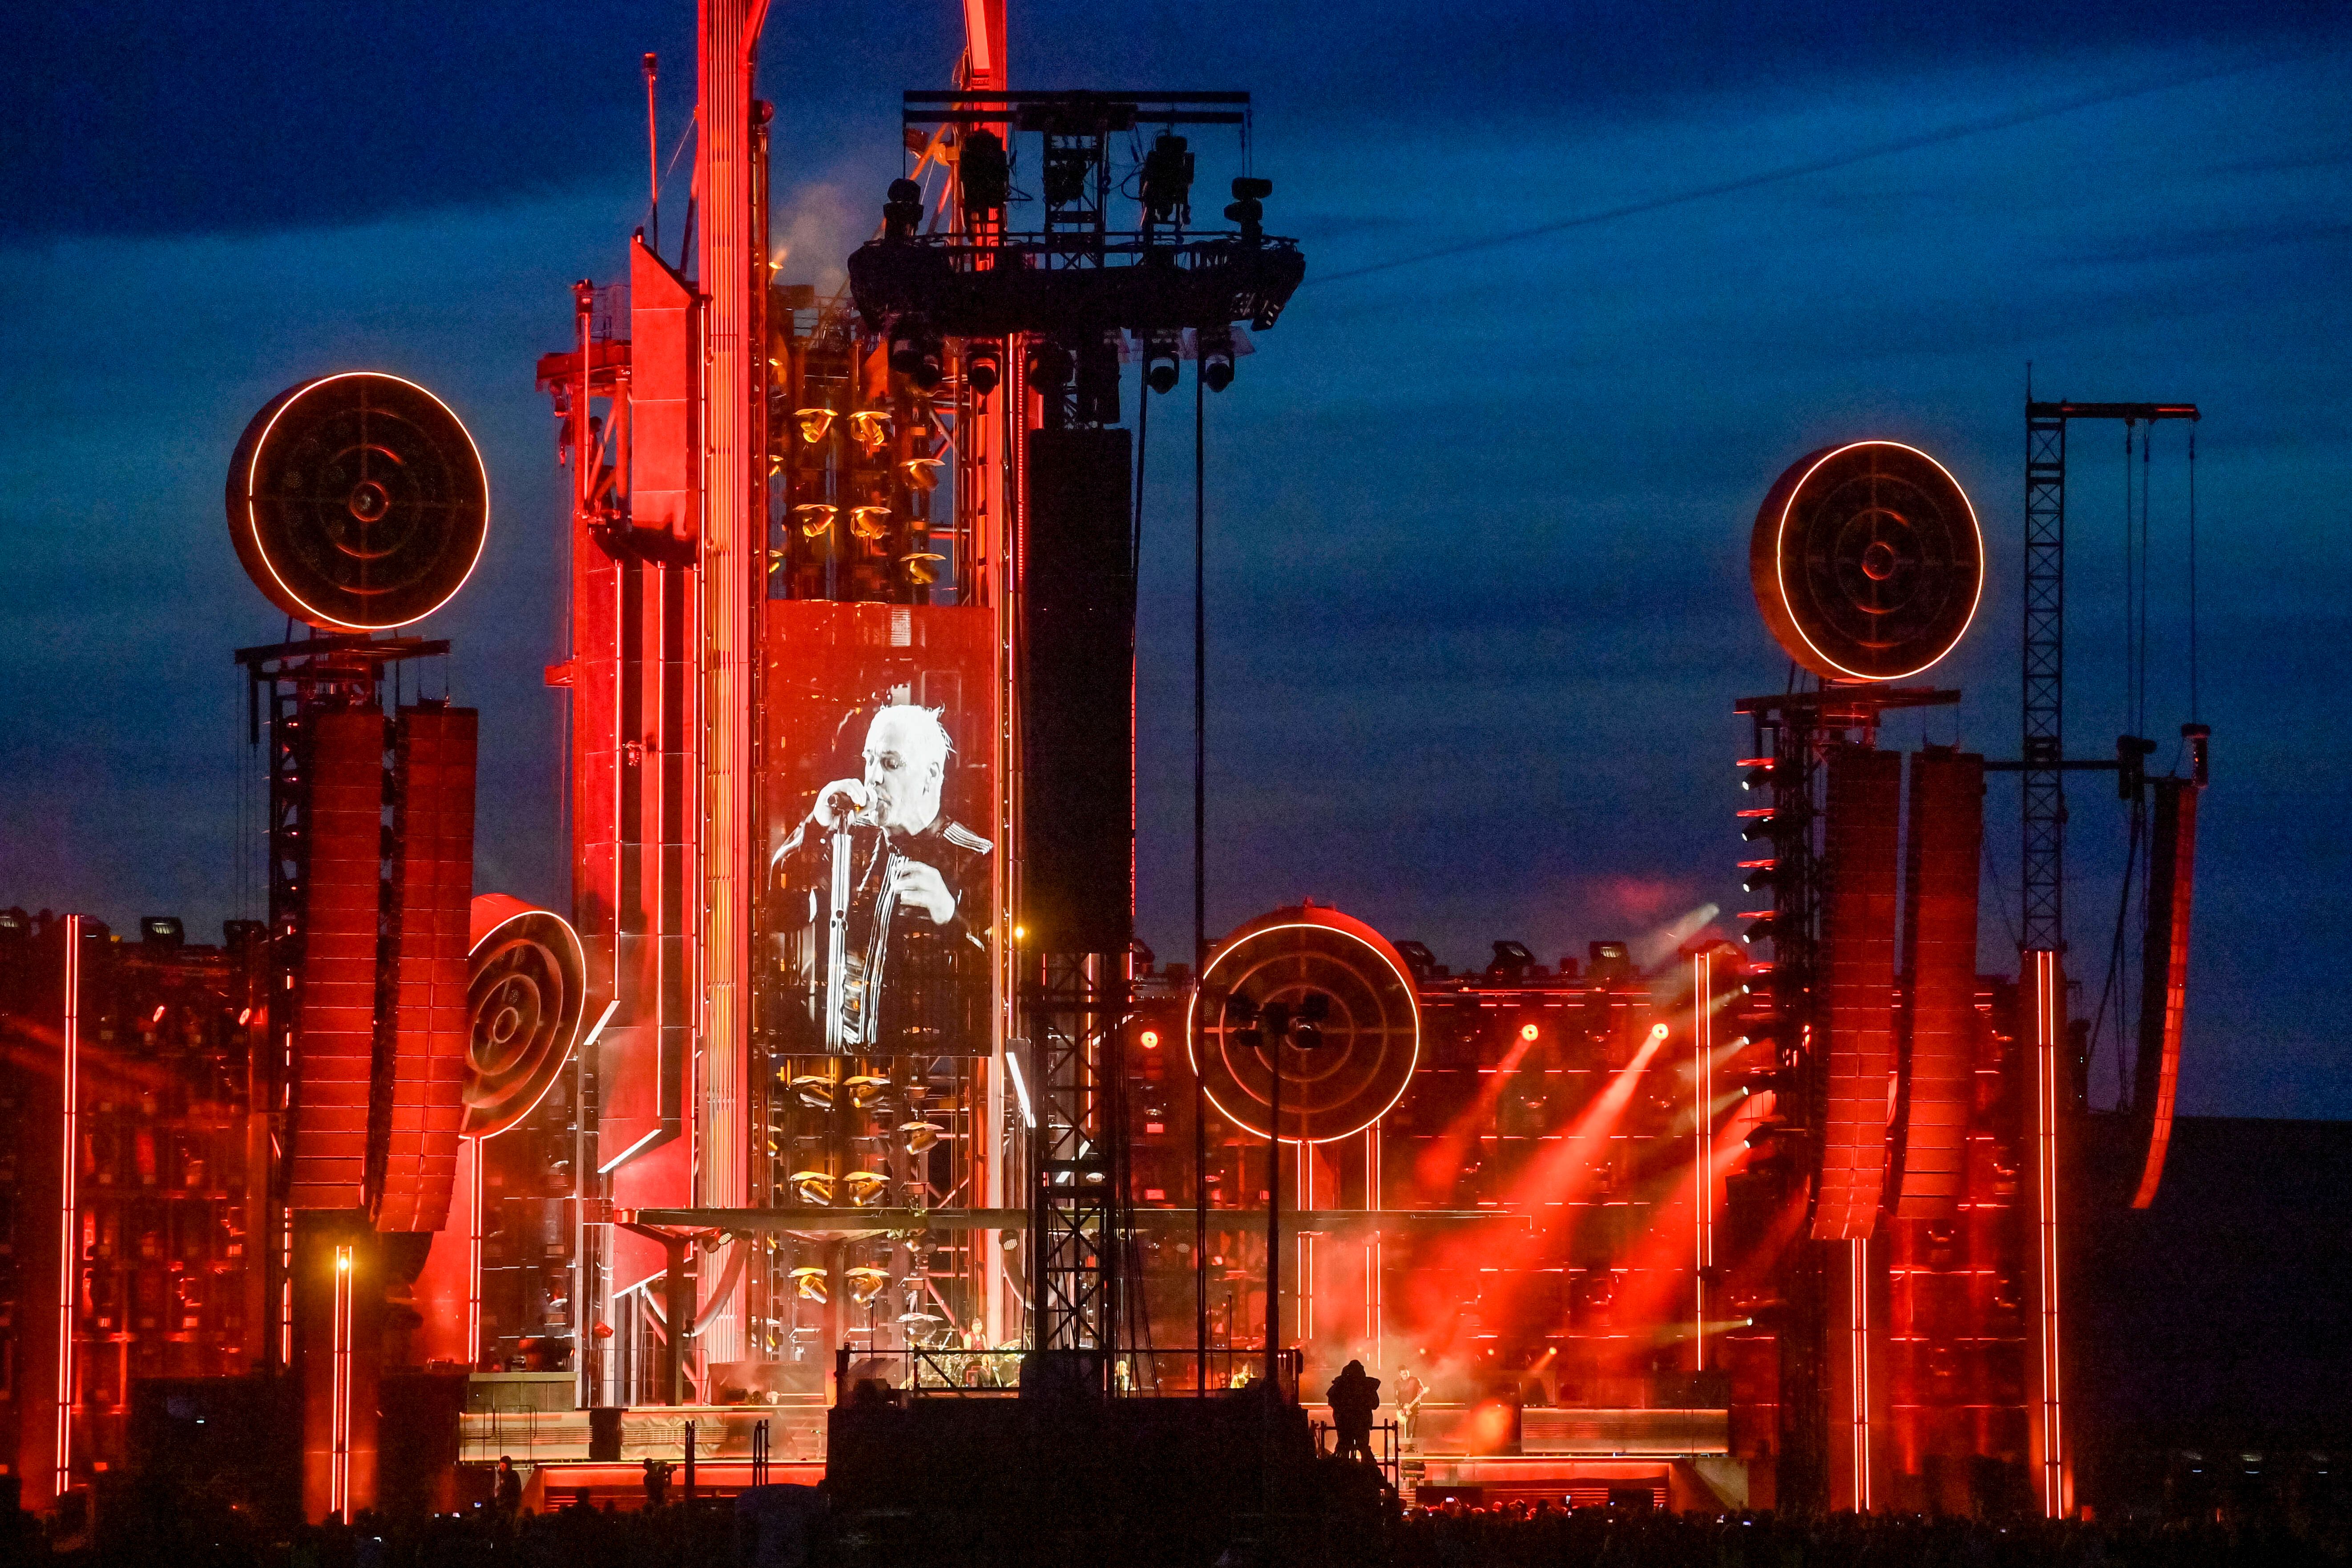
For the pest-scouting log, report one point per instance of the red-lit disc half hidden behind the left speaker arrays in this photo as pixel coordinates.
(526, 991)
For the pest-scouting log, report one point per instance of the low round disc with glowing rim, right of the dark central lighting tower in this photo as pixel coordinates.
(1372, 1036)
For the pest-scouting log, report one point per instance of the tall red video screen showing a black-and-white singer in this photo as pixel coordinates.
(878, 812)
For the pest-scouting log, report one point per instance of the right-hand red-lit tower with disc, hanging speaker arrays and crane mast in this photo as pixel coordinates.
(1927, 1134)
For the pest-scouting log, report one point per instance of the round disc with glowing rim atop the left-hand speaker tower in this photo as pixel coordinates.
(359, 502)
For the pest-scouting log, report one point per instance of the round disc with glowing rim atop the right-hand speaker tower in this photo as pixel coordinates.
(1869, 563)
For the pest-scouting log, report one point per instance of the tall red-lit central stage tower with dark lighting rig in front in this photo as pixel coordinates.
(853, 824)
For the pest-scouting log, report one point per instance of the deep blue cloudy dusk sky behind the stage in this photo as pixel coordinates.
(1584, 279)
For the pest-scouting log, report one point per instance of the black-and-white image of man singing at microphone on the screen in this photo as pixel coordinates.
(886, 904)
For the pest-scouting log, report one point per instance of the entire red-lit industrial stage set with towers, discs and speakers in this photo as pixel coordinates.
(841, 1120)
